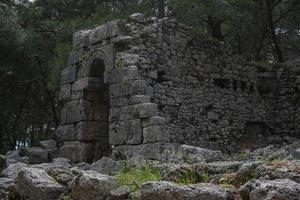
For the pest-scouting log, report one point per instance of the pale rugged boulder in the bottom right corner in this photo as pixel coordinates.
(279, 189)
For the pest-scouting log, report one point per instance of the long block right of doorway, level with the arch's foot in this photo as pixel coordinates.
(136, 87)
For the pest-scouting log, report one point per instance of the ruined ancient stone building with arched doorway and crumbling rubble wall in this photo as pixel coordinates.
(147, 80)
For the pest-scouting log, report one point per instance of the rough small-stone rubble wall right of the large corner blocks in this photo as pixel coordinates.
(206, 95)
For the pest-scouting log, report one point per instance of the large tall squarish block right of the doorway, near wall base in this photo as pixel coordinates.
(126, 132)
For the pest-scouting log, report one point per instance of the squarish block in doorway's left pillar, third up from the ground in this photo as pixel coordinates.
(79, 110)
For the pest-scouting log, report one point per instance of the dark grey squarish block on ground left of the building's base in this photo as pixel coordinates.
(36, 155)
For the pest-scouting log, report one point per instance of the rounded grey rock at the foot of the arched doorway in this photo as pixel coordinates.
(107, 166)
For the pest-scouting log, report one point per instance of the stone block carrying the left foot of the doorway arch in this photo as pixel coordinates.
(86, 83)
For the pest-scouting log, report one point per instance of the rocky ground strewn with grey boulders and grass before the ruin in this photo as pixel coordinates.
(157, 172)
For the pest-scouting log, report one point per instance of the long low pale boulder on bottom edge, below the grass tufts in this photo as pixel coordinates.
(172, 191)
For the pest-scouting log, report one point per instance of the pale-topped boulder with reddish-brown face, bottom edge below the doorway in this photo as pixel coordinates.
(92, 185)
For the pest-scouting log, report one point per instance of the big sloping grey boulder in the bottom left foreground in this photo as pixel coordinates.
(36, 184)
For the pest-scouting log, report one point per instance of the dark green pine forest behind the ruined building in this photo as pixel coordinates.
(36, 36)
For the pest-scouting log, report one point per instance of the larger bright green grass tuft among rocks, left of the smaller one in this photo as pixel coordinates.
(137, 176)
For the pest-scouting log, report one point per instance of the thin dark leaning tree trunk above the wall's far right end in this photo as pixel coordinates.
(272, 31)
